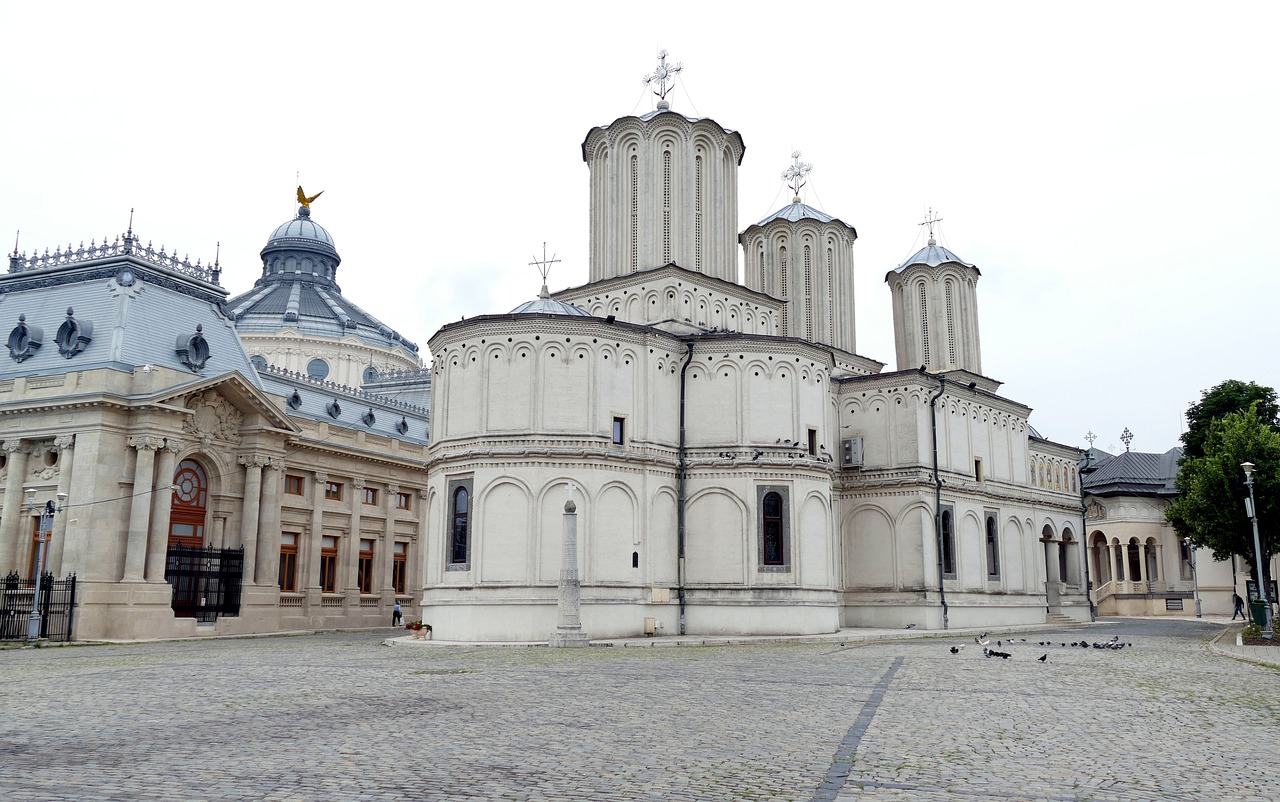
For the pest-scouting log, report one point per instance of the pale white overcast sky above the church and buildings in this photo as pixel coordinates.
(1110, 168)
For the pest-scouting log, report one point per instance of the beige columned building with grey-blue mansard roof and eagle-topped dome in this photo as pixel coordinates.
(211, 484)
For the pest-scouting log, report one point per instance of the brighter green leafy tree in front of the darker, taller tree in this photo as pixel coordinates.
(1210, 506)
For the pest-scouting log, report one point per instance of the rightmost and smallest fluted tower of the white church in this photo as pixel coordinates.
(936, 311)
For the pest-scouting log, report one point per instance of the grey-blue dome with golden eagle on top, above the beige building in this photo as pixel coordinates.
(298, 319)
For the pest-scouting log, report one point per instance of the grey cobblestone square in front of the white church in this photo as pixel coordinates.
(342, 717)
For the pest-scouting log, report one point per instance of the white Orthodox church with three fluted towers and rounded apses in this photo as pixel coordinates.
(738, 468)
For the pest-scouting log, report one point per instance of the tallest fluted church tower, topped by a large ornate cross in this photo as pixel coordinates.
(664, 190)
